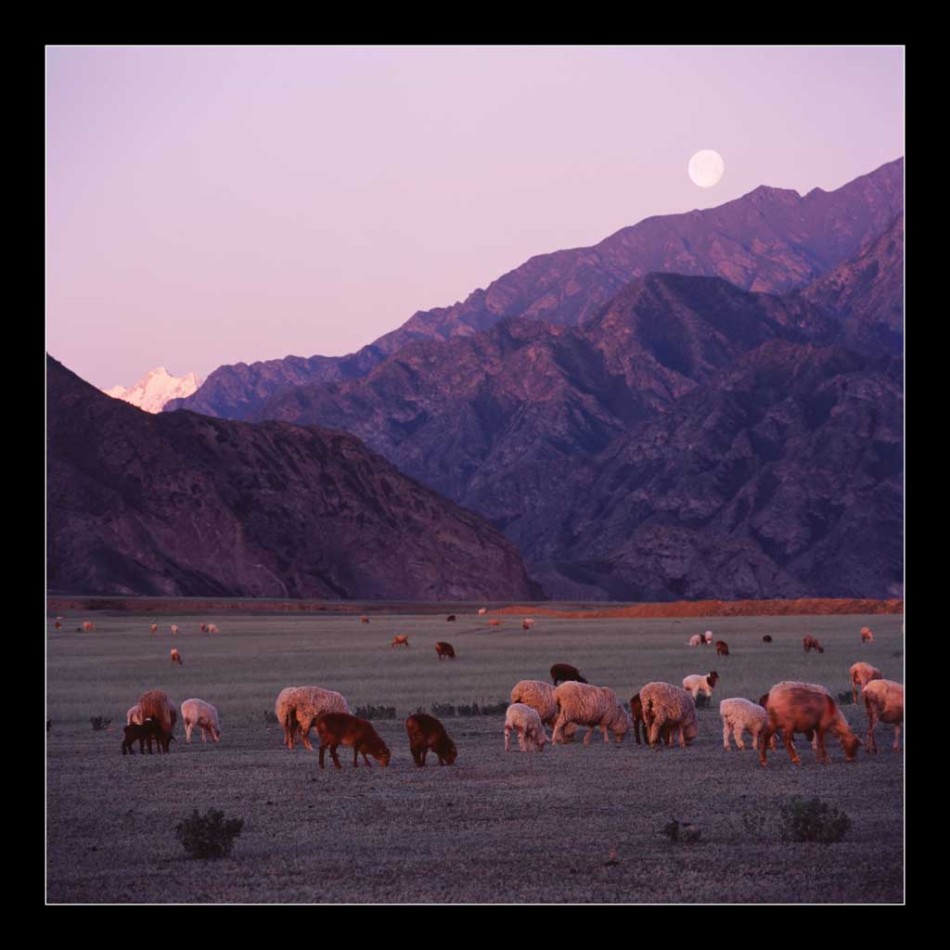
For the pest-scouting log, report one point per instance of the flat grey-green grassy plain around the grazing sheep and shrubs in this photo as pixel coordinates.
(573, 824)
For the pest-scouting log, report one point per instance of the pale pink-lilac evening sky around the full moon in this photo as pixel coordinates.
(212, 205)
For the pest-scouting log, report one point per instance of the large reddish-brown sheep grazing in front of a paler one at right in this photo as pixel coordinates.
(797, 707)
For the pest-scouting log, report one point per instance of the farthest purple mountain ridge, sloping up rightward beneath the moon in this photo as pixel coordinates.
(770, 240)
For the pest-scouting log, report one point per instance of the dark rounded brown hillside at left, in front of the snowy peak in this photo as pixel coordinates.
(184, 505)
